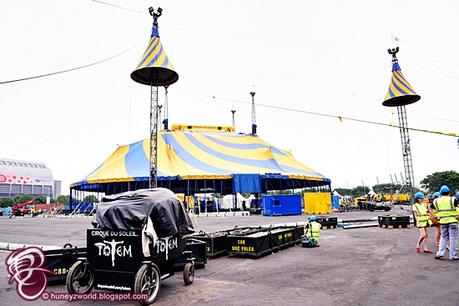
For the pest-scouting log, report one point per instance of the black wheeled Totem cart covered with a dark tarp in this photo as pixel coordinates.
(138, 238)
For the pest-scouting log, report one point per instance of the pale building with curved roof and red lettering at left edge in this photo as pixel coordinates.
(27, 177)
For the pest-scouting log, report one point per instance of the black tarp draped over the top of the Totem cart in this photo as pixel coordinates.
(129, 210)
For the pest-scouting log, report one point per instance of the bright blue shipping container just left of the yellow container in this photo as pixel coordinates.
(281, 205)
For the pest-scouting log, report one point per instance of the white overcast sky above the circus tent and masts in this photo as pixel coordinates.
(324, 56)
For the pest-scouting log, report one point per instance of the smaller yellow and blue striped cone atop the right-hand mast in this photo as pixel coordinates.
(400, 91)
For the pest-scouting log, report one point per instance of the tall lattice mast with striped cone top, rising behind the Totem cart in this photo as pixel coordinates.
(154, 69)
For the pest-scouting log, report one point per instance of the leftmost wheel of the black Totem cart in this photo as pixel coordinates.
(80, 278)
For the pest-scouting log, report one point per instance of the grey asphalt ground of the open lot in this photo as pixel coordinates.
(368, 266)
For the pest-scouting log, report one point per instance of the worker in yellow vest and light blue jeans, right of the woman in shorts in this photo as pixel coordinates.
(445, 210)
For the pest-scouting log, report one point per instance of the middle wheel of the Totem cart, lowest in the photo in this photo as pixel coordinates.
(148, 281)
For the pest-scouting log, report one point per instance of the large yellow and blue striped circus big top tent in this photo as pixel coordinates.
(190, 160)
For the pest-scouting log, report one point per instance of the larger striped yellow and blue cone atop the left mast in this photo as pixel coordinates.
(154, 68)
